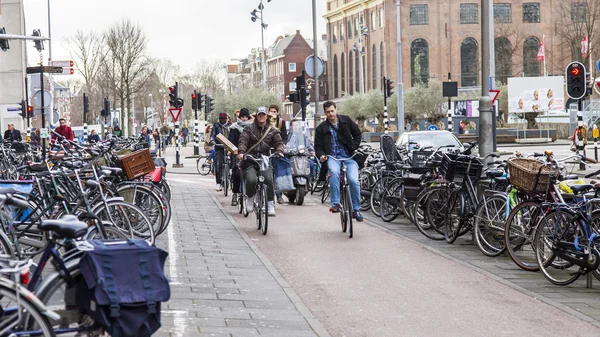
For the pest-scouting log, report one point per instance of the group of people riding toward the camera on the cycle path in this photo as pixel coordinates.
(266, 133)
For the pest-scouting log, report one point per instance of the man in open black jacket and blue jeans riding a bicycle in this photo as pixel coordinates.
(339, 137)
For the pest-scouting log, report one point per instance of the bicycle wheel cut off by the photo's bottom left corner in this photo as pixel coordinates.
(21, 315)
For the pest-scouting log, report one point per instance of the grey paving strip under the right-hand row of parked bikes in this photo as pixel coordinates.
(575, 298)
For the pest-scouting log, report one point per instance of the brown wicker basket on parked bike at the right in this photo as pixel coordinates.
(530, 175)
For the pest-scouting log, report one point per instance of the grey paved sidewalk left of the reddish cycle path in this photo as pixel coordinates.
(221, 284)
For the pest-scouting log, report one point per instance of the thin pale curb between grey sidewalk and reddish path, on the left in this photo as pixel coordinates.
(312, 321)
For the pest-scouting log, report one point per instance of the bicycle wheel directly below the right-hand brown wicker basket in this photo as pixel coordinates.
(519, 232)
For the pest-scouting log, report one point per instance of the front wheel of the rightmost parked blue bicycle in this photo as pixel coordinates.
(555, 231)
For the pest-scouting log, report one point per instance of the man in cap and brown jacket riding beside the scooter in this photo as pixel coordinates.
(258, 139)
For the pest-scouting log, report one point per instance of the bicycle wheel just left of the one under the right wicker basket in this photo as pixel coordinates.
(489, 225)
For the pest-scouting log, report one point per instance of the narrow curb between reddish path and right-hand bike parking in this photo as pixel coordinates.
(496, 278)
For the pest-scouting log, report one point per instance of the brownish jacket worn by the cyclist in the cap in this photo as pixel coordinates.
(253, 133)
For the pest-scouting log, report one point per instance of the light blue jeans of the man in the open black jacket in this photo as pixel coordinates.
(334, 182)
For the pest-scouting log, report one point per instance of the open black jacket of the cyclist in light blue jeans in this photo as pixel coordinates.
(348, 133)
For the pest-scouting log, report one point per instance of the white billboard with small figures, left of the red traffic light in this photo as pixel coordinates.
(536, 94)
